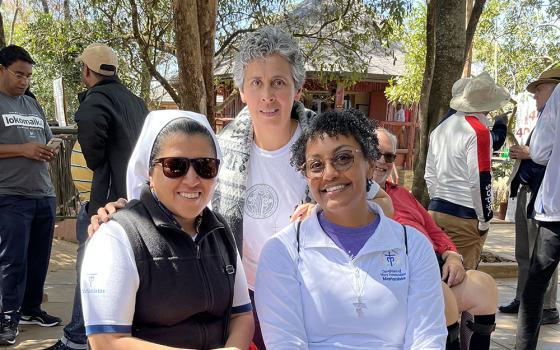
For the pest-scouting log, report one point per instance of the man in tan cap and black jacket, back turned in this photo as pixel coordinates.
(109, 119)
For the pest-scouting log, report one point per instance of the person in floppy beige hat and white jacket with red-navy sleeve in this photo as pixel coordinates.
(458, 166)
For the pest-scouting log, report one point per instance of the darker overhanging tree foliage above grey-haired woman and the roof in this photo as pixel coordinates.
(337, 36)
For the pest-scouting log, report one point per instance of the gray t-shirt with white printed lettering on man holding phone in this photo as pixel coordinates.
(22, 120)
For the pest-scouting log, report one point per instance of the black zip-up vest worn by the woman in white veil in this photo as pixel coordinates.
(186, 287)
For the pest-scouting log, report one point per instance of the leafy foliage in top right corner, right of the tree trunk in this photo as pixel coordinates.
(517, 40)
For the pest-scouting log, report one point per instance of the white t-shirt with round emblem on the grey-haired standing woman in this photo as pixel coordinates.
(274, 189)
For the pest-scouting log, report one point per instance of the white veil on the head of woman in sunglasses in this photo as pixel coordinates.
(137, 172)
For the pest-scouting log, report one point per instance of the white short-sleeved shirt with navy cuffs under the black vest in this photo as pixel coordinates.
(109, 282)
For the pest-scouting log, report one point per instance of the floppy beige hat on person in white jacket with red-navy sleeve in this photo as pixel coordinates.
(478, 94)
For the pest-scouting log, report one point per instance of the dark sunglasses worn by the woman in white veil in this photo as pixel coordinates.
(174, 167)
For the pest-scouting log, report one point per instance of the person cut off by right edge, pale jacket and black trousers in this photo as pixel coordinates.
(545, 150)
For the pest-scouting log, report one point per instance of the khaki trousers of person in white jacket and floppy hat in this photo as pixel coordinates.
(464, 234)
